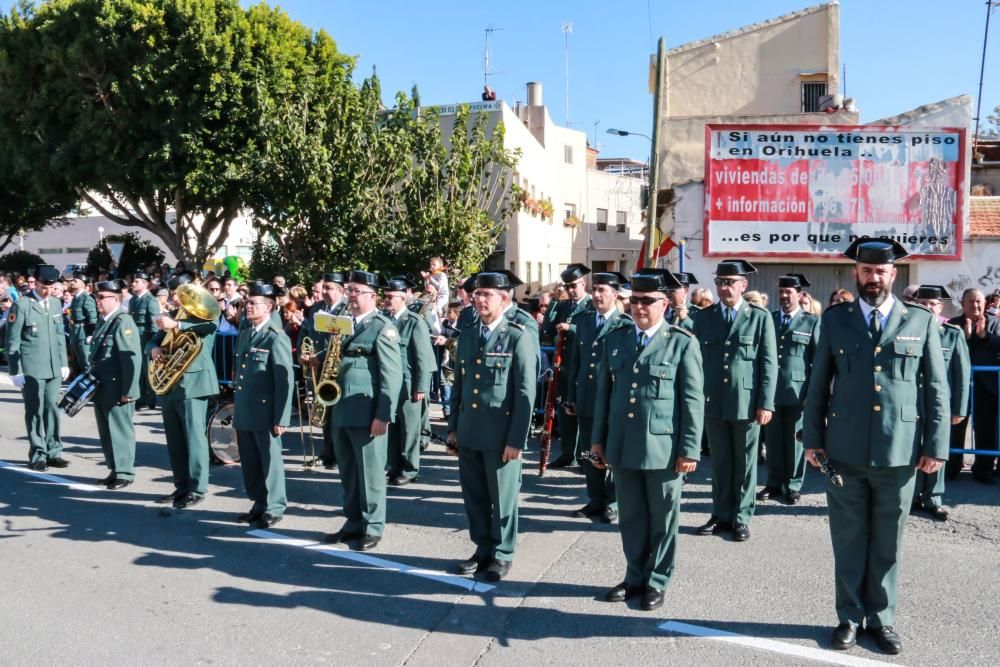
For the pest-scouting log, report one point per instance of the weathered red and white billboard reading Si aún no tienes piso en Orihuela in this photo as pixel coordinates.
(810, 190)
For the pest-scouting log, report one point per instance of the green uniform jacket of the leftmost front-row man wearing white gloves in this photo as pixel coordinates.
(36, 344)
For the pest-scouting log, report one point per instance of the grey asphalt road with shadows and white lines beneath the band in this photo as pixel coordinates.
(89, 576)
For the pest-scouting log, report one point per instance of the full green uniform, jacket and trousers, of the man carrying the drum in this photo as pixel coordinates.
(116, 360)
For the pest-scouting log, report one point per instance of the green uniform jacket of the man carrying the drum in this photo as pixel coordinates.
(116, 359)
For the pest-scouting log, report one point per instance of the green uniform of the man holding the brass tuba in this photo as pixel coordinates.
(185, 410)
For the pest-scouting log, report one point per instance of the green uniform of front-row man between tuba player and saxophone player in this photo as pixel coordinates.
(263, 400)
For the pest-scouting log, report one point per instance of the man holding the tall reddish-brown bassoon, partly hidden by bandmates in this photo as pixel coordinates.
(561, 322)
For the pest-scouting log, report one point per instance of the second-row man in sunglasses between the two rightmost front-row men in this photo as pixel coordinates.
(741, 371)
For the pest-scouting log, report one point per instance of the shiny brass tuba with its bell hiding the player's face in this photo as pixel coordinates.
(180, 348)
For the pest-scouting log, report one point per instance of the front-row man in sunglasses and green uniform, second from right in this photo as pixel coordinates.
(648, 414)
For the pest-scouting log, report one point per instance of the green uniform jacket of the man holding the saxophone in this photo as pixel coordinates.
(371, 374)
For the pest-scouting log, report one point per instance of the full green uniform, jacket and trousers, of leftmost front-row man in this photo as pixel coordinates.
(36, 349)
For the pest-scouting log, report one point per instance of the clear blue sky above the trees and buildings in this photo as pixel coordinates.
(899, 54)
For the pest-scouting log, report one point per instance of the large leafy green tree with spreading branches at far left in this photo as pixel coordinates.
(157, 112)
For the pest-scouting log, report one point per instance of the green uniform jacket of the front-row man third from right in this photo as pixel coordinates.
(493, 395)
